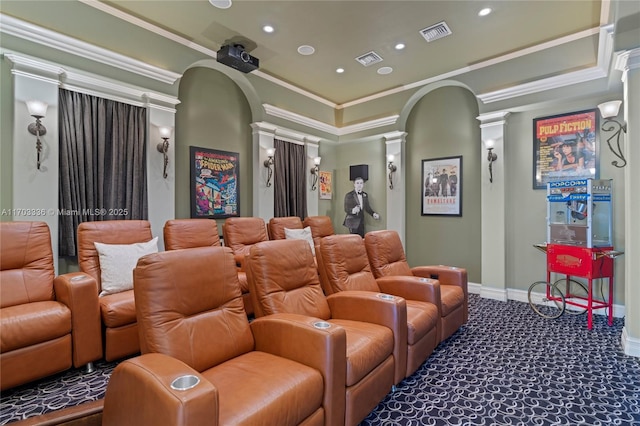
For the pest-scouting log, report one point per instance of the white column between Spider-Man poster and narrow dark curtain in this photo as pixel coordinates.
(263, 135)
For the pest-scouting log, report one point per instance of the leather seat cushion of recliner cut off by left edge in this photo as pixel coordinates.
(33, 323)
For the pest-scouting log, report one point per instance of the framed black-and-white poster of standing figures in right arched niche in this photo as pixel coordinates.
(442, 186)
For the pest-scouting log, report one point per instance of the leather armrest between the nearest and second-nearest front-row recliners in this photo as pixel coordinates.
(300, 338)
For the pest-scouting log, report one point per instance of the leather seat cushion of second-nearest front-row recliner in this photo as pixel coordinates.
(368, 345)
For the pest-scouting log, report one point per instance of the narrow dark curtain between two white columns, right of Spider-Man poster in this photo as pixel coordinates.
(290, 180)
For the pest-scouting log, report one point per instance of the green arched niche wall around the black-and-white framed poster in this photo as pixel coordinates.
(443, 124)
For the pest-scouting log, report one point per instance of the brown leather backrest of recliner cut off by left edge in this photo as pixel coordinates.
(26, 263)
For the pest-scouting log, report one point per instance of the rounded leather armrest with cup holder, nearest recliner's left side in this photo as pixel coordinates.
(140, 393)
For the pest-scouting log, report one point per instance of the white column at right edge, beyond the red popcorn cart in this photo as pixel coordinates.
(629, 63)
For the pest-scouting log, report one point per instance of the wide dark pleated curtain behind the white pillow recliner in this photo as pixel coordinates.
(103, 172)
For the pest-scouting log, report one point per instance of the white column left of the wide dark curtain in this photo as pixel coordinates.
(35, 191)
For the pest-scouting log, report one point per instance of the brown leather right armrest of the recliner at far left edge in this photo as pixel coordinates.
(79, 292)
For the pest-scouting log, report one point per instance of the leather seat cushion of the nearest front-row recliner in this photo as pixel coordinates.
(273, 390)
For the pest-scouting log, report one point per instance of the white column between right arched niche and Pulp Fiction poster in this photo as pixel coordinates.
(494, 267)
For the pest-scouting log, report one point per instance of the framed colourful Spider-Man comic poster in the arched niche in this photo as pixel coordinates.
(214, 183)
